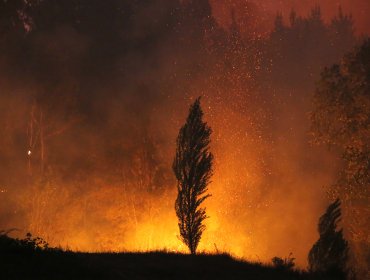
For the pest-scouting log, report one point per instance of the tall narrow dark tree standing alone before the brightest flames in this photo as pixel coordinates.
(193, 169)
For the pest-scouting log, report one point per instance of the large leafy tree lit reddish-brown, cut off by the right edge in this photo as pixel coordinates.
(340, 119)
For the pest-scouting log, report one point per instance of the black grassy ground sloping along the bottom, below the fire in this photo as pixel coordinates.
(31, 258)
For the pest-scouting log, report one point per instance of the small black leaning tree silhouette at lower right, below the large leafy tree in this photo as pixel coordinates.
(330, 252)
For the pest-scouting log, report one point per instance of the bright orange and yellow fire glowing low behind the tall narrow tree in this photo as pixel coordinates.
(245, 218)
